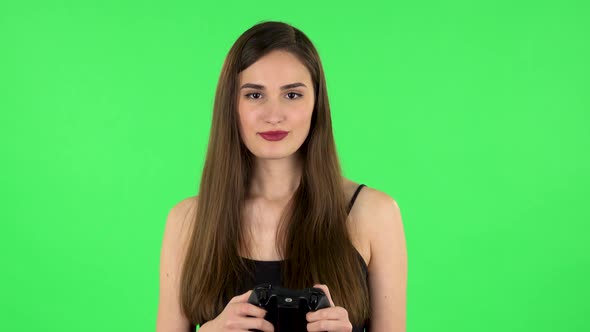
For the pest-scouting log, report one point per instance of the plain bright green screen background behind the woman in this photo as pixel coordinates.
(472, 115)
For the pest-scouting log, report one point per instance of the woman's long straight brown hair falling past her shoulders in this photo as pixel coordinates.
(312, 235)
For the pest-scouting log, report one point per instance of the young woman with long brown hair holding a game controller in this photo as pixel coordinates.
(273, 205)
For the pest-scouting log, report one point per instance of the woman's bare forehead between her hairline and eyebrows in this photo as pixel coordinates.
(276, 68)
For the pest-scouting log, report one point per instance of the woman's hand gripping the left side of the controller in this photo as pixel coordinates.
(239, 315)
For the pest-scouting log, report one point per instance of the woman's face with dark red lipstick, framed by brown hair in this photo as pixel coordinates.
(275, 94)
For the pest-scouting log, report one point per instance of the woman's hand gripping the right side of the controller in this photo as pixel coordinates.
(333, 319)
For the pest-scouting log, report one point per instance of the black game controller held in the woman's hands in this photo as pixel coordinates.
(286, 308)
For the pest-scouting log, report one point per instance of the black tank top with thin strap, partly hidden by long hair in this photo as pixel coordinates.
(270, 272)
